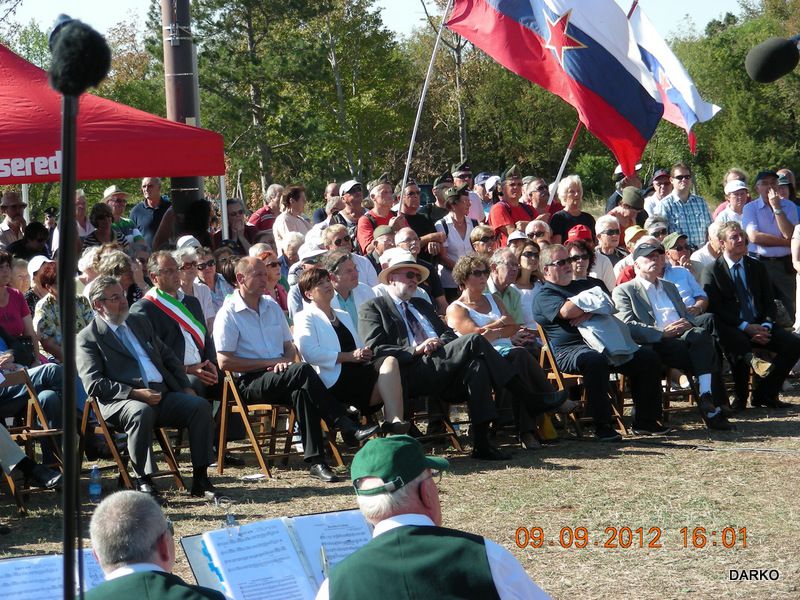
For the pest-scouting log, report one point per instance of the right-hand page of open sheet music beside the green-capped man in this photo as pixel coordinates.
(342, 533)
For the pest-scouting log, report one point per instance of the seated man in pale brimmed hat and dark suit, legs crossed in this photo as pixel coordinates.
(434, 361)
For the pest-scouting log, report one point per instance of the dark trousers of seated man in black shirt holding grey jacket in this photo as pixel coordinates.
(643, 371)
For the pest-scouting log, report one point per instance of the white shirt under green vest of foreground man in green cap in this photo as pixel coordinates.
(510, 579)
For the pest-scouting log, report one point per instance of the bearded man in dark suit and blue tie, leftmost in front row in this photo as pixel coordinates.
(140, 384)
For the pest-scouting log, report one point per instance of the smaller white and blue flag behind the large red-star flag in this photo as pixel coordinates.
(683, 105)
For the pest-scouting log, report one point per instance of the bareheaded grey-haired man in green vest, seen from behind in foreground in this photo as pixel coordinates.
(135, 546)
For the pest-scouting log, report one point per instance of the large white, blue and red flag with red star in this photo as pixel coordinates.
(583, 52)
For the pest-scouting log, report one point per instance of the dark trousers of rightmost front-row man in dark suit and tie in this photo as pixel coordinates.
(737, 344)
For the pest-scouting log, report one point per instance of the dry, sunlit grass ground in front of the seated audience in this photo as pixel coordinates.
(747, 479)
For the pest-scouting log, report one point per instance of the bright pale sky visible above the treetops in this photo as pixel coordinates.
(669, 16)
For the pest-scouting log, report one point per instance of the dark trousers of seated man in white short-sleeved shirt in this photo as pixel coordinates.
(301, 388)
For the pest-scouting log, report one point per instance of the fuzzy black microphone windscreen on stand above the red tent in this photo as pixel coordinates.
(81, 59)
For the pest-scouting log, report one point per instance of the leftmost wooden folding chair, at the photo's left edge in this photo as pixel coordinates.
(32, 428)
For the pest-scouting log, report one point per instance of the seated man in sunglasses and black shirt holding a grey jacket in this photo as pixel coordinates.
(560, 317)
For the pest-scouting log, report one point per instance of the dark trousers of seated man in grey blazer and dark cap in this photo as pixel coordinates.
(695, 352)
